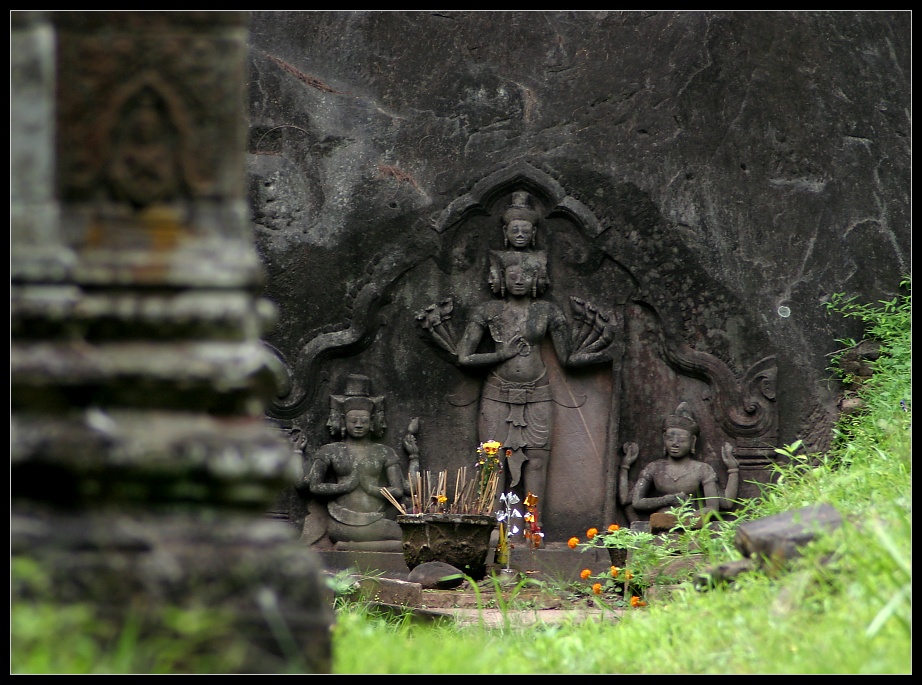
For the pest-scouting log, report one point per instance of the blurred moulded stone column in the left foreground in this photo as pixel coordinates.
(141, 464)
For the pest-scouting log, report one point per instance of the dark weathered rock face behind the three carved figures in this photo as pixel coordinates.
(705, 179)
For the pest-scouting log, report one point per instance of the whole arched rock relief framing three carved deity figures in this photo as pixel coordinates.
(573, 380)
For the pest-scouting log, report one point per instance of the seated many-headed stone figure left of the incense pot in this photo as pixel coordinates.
(348, 510)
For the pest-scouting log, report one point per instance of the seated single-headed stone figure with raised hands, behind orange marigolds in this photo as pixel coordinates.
(667, 483)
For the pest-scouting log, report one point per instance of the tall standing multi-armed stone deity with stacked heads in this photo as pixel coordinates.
(516, 402)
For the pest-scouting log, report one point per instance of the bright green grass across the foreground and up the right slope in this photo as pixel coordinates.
(845, 607)
